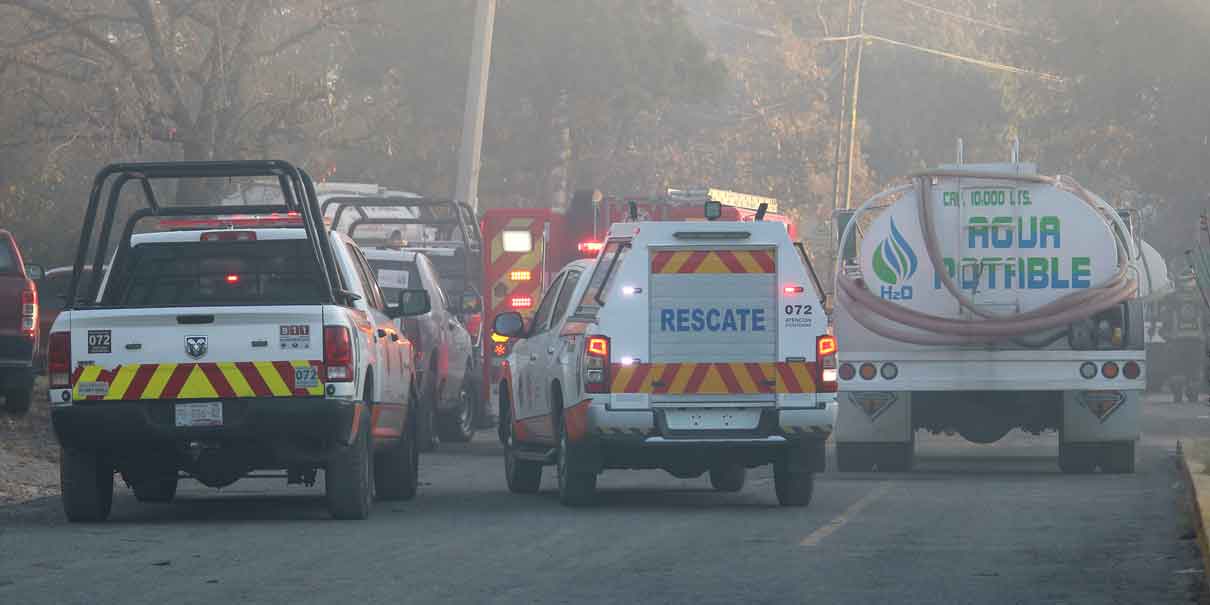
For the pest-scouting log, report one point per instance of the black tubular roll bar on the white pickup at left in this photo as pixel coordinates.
(298, 193)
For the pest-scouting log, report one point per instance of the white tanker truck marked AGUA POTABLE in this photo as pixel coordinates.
(983, 298)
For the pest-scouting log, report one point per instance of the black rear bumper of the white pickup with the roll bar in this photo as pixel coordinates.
(148, 425)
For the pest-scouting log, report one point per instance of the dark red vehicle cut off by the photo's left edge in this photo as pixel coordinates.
(19, 326)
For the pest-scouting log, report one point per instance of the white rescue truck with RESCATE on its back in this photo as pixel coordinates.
(689, 347)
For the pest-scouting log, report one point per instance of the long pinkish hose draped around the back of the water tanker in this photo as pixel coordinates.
(897, 322)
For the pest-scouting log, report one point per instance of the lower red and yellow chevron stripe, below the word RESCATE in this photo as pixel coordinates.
(715, 378)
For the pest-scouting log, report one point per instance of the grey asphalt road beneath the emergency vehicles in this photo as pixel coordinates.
(975, 525)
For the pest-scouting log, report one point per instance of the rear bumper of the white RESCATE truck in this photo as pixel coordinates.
(642, 440)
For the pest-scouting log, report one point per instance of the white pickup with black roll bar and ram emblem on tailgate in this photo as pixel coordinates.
(231, 344)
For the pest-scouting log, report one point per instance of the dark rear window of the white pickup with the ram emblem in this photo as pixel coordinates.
(211, 274)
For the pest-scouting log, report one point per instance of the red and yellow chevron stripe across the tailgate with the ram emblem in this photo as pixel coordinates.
(195, 381)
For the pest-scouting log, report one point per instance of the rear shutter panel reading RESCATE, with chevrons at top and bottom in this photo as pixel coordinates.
(713, 325)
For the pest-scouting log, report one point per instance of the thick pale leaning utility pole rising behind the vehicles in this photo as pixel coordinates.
(468, 189)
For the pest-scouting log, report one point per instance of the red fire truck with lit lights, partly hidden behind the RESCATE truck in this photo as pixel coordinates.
(526, 247)
